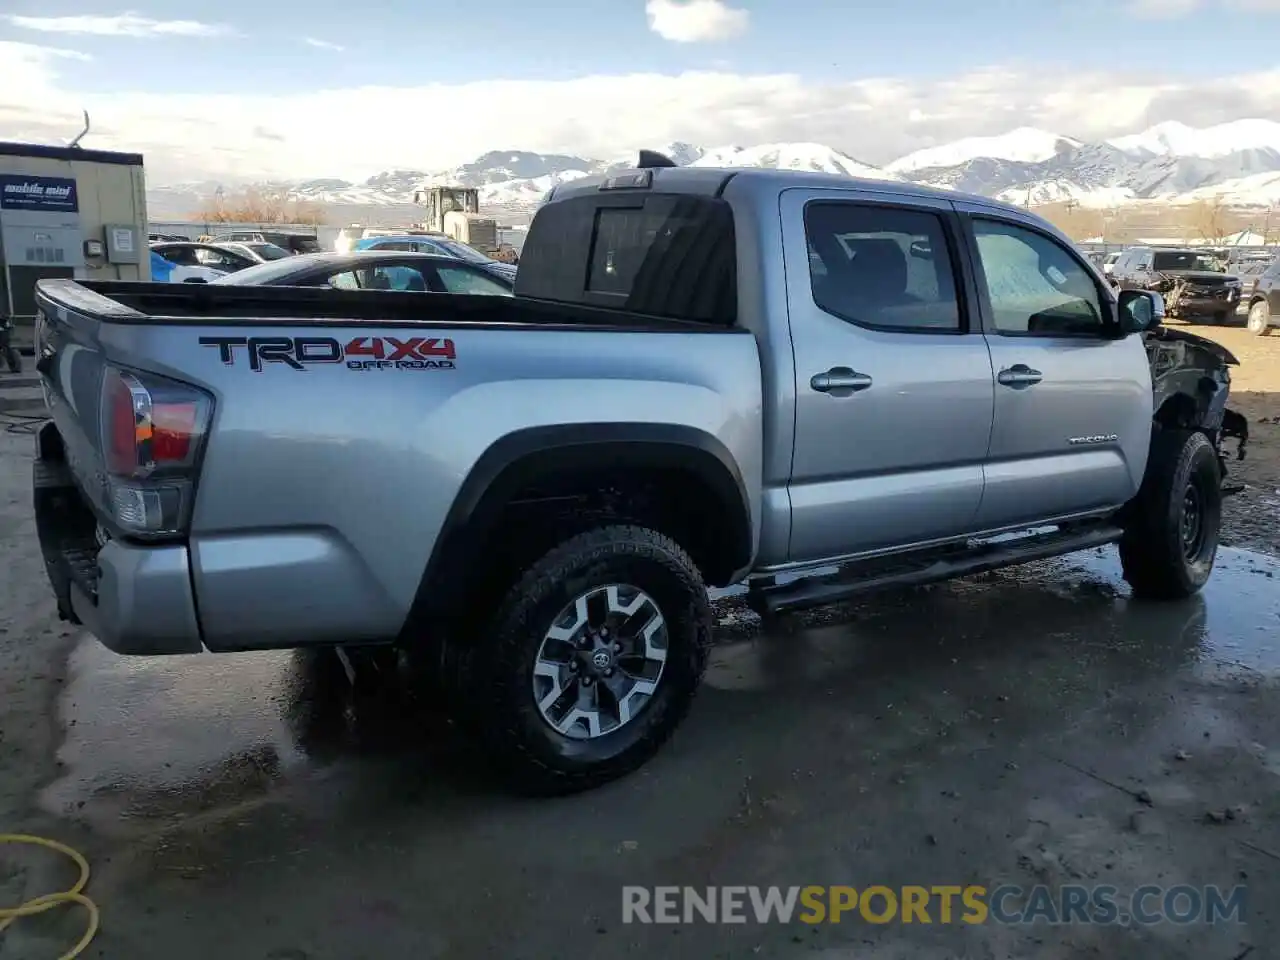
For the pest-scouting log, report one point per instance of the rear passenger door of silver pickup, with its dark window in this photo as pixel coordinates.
(893, 377)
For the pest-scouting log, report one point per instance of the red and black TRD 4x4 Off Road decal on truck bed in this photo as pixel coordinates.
(360, 354)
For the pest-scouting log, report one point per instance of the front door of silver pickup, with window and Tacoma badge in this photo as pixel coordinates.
(1073, 404)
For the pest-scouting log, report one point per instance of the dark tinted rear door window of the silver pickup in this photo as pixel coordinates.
(881, 267)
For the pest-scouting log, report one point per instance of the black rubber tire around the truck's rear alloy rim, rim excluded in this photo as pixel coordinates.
(529, 755)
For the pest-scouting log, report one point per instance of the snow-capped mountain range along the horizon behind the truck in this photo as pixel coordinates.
(1237, 162)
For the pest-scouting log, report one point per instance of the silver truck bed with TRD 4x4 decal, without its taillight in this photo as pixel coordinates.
(335, 455)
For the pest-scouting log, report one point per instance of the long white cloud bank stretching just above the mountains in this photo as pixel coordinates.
(356, 132)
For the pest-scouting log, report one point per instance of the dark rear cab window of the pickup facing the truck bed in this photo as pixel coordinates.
(662, 255)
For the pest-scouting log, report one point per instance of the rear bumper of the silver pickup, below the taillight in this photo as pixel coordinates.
(134, 600)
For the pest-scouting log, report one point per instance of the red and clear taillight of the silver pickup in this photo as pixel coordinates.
(153, 435)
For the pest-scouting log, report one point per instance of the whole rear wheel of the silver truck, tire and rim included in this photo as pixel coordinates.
(592, 660)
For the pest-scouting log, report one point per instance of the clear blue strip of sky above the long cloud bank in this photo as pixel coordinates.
(446, 42)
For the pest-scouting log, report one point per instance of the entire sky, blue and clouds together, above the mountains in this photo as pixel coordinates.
(237, 86)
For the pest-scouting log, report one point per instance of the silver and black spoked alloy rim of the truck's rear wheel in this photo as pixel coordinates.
(601, 662)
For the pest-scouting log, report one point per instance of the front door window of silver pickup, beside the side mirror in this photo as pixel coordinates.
(1035, 286)
